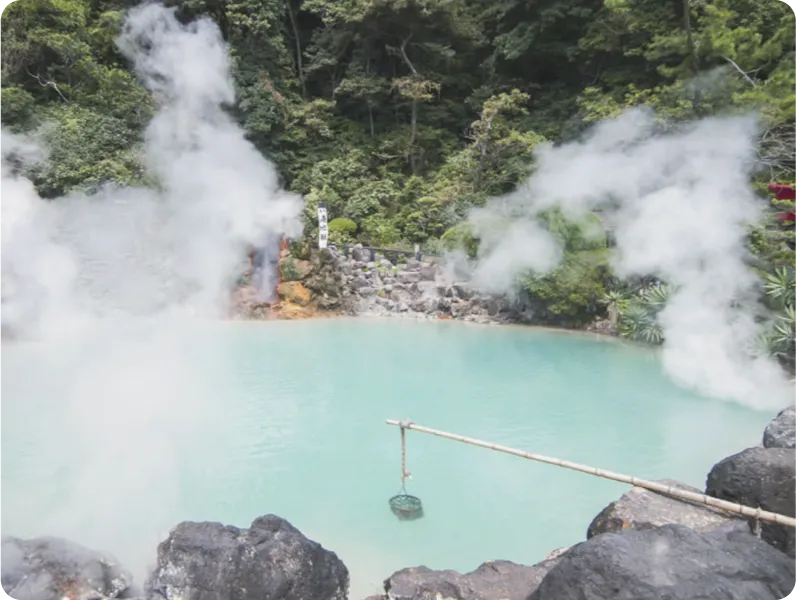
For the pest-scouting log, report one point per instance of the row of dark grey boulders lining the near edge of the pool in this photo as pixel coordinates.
(643, 546)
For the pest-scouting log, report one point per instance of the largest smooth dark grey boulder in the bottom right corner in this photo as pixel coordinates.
(672, 562)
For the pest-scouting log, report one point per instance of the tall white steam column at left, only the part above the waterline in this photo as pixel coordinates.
(141, 251)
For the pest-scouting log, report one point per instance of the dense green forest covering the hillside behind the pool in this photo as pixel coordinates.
(401, 115)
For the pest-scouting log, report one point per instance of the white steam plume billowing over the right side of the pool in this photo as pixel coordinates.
(681, 204)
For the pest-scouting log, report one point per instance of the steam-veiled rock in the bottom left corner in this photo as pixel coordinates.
(54, 569)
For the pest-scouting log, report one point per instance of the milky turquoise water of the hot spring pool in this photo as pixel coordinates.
(112, 439)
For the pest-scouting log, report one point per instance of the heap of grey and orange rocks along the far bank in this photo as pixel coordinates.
(326, 282)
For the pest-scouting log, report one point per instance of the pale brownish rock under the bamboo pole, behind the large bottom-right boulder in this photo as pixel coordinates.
(642, 509)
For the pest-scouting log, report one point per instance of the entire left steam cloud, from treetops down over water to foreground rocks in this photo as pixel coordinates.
(121, 271)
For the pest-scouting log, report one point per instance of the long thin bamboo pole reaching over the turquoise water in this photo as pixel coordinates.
(740, 509)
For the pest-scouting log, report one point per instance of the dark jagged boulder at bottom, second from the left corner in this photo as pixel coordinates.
(270, 560)
